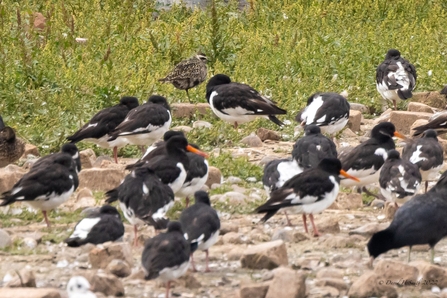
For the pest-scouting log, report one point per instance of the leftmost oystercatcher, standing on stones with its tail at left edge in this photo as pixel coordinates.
(45, 188)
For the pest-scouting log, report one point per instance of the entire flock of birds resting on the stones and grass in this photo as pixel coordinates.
(305, 183)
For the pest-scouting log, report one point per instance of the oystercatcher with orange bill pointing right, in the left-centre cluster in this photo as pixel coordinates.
(172, 168)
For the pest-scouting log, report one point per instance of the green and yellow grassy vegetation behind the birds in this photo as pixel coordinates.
(50, 84)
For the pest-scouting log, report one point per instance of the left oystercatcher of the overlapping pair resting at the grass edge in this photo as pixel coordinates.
(98, 129)
